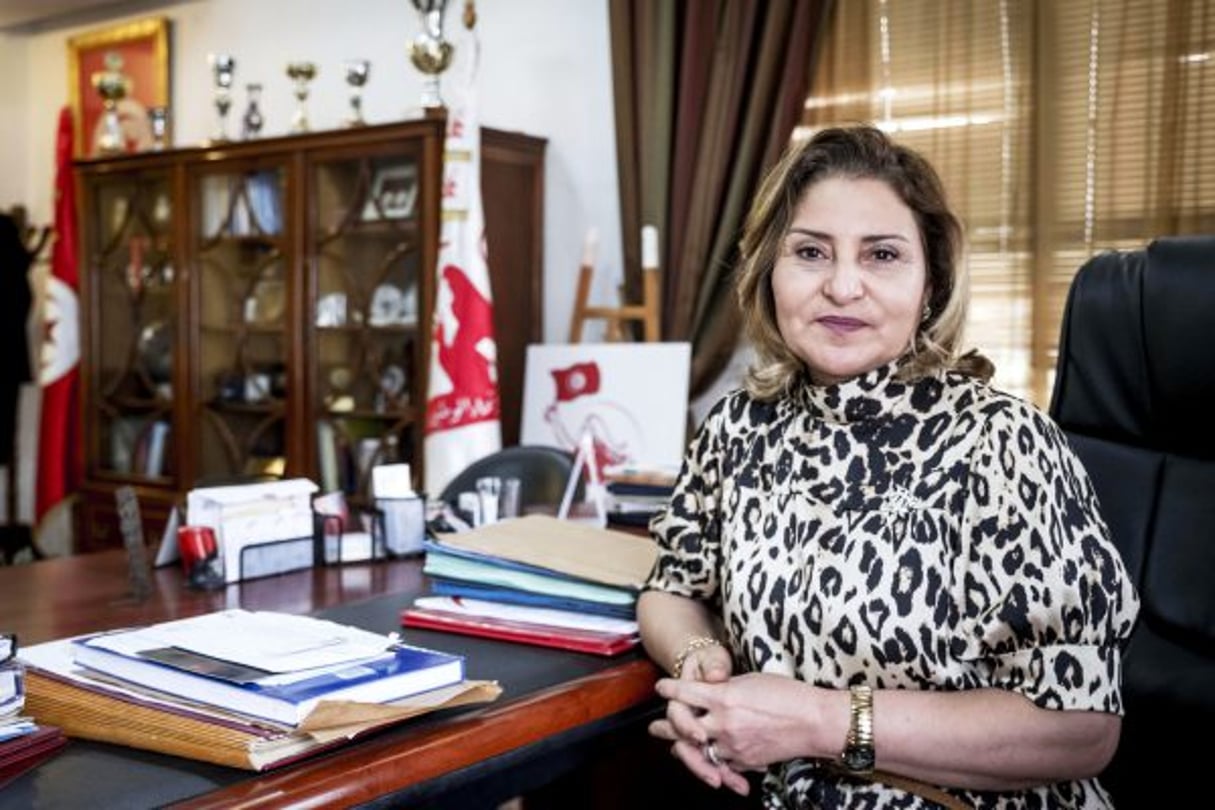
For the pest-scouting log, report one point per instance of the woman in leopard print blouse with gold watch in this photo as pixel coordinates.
(873, 560)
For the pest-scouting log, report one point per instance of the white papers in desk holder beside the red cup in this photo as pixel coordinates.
(262, 529)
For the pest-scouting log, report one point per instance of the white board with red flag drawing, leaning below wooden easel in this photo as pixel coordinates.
(630, 399)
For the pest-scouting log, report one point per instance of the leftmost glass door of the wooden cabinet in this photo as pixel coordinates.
(132, 271)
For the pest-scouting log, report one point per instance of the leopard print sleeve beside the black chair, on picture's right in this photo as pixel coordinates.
(1047, 599)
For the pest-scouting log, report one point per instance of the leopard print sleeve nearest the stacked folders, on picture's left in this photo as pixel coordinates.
(688, 533)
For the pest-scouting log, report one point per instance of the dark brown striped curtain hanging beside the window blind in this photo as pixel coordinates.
(708, 94)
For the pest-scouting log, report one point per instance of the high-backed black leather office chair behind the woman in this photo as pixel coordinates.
(1137, 395)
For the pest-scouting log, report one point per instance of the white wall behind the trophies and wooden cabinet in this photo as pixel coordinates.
(546, 71)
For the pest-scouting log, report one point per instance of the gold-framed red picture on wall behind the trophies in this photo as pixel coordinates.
(140, 52)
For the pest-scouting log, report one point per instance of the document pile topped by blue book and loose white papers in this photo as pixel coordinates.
(251, 690)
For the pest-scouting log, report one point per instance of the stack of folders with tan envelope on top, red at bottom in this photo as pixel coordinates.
(538, 581)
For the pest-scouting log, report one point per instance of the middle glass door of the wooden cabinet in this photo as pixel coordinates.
(244, 314)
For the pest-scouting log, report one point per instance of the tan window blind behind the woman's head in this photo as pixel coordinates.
(1060, 129)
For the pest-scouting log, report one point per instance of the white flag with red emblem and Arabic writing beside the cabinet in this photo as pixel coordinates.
(464, 422)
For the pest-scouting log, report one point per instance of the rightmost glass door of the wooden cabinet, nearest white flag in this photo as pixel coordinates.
(368, 243)
